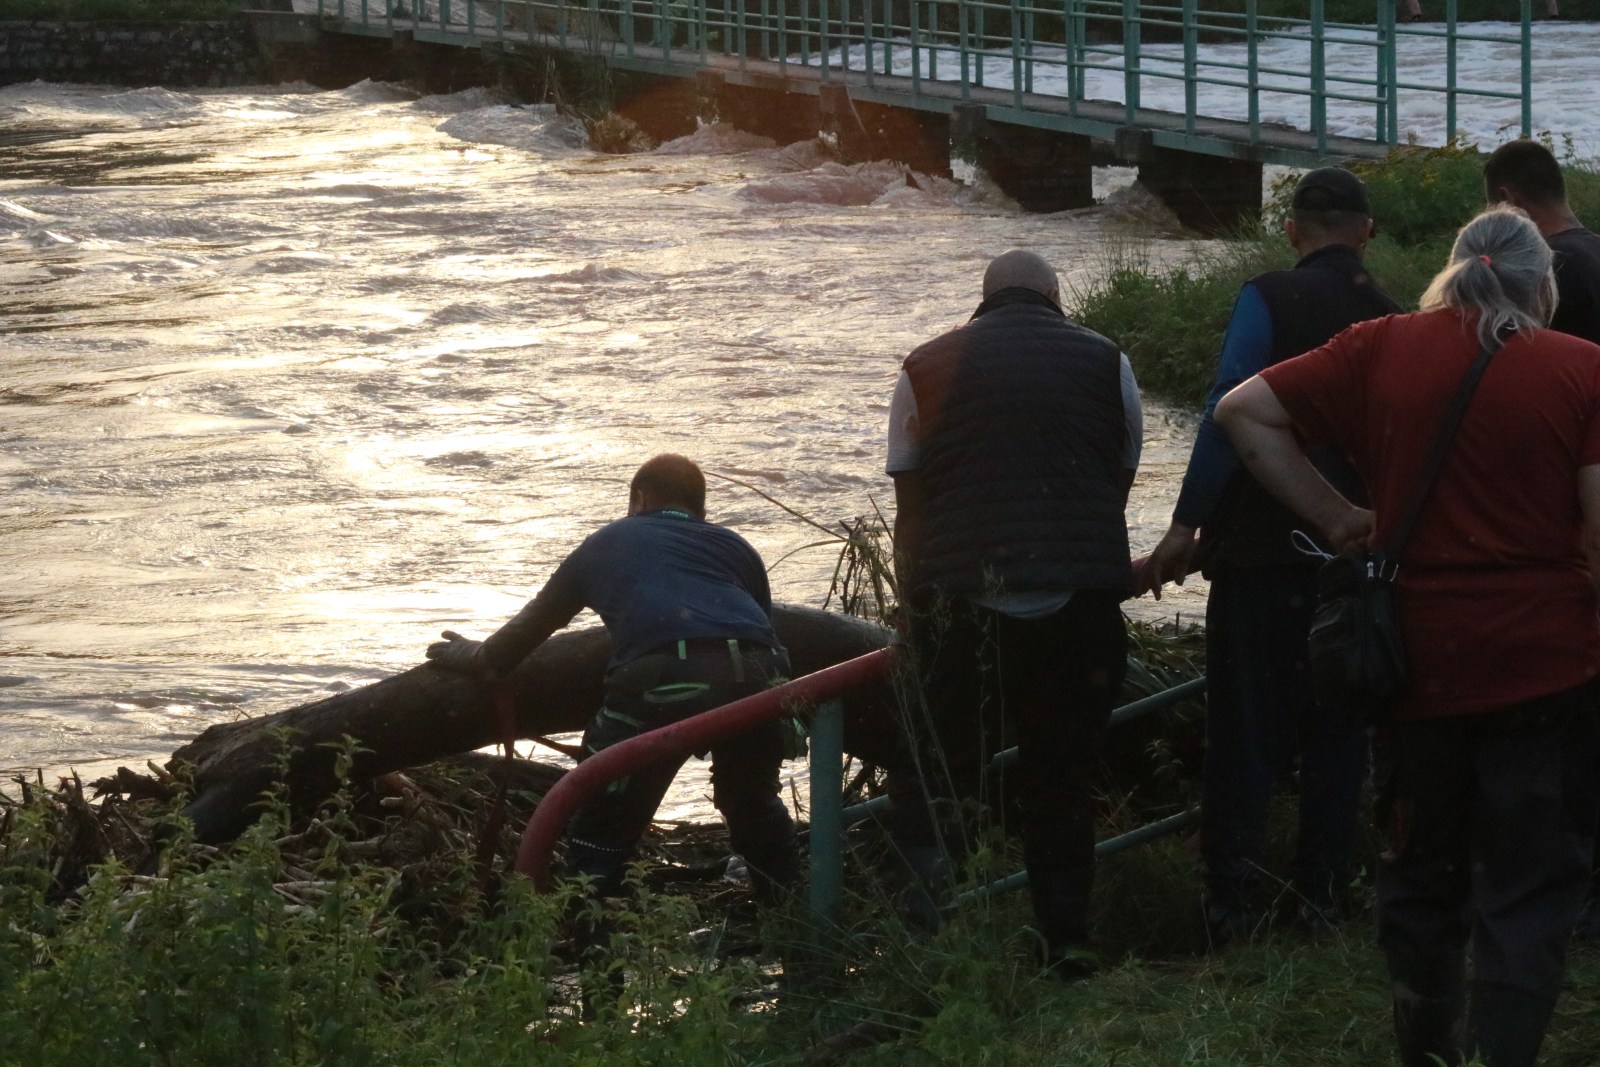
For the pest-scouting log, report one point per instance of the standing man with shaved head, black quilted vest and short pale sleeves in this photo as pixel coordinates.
(1014, 442)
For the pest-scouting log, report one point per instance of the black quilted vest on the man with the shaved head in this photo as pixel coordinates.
(1022, 454)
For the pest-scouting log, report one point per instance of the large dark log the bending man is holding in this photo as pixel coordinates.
(428, 714)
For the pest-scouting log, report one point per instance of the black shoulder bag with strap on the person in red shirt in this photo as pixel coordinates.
(1356, 655)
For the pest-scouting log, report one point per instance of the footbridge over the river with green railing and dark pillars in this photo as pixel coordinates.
(1196, 94)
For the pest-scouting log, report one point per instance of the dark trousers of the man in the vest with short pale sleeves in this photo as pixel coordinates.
(1050, 684)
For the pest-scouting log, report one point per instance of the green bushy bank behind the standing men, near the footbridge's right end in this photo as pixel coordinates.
(1170, 319)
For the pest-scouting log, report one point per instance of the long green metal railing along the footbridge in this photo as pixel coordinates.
(1050, 62)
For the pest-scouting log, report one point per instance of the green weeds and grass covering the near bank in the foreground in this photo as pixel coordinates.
(292, 949)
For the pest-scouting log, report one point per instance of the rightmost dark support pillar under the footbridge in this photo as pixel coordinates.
(1207, 193)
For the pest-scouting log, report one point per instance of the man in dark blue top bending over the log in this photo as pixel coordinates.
(689, 612)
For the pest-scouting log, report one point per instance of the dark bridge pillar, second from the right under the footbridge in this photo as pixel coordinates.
(1039, 169)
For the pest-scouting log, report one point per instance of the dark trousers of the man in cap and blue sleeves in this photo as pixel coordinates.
(1260, 716)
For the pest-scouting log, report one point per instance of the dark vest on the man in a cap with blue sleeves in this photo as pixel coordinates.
(1326, 294)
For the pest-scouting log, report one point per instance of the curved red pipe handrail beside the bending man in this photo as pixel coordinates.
(692, 735)
